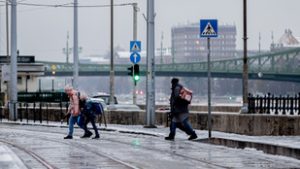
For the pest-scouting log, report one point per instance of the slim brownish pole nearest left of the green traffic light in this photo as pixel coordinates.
(112, 72)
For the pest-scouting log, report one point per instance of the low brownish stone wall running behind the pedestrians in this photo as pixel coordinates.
(248, 124)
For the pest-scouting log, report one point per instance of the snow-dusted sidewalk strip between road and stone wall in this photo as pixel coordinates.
(278, 145)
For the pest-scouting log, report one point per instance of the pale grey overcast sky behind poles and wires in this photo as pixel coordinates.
(42, 31)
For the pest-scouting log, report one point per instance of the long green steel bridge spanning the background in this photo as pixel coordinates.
(280, 65)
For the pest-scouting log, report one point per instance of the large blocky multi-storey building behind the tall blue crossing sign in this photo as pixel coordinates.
(189, 47)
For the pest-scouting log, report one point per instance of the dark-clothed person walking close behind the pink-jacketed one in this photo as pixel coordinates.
(89, 111)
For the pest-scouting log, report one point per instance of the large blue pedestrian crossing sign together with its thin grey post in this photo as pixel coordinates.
(208, 29)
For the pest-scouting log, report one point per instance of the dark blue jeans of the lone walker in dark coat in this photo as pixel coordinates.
(184, 126)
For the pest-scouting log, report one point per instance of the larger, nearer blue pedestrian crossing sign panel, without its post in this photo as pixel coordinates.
(208, 28)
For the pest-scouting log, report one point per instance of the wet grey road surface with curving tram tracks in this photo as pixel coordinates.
(44, 147)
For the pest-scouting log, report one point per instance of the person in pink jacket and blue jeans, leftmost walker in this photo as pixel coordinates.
(73, 110)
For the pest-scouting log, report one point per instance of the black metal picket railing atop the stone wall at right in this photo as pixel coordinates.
(276, 105)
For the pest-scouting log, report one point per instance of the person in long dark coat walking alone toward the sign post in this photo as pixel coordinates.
(179, 112)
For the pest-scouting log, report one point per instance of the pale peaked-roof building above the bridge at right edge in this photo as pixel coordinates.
(287, 40)
